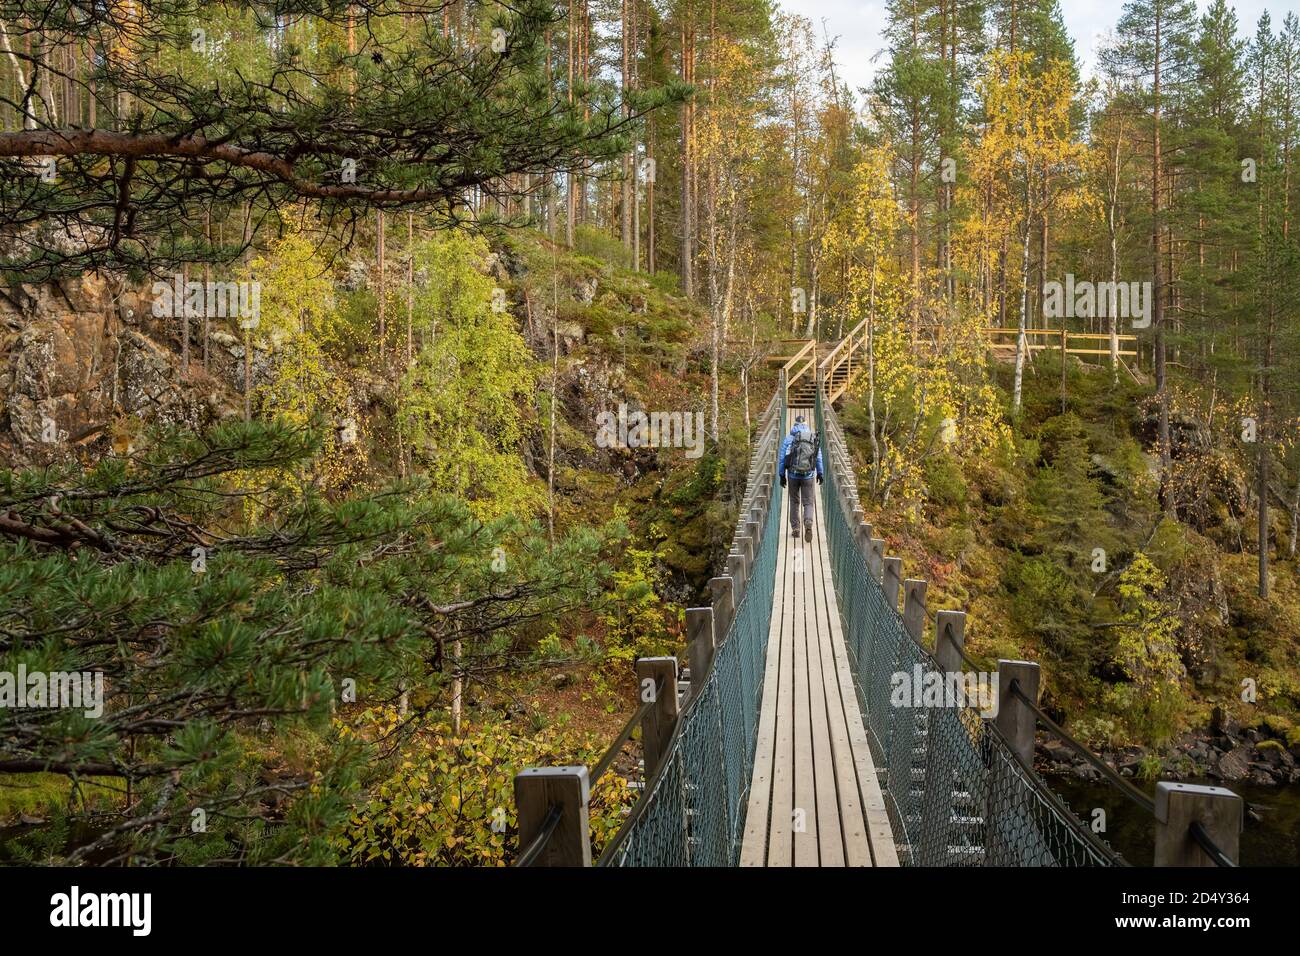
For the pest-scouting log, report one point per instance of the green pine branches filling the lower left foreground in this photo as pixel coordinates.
(223, 635)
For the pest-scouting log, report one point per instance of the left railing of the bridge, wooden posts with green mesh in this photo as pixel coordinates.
(699, 749)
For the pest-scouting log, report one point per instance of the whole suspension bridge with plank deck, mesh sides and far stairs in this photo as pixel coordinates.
(781, 742)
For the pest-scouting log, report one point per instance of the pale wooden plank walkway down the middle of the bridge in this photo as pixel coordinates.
(814, 797)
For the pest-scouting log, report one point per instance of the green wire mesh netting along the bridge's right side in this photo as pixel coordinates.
(956, 793)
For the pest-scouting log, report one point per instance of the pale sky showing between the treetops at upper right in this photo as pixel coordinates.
(857, 24)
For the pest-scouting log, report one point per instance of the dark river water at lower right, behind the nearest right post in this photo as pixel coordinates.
(1271, 838)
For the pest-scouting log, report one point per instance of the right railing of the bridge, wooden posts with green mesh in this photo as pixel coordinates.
(955, 749)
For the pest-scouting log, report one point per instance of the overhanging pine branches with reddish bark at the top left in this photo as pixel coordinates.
(409, 116)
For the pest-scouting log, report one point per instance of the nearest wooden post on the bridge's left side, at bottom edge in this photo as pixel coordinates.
(538, 790)
